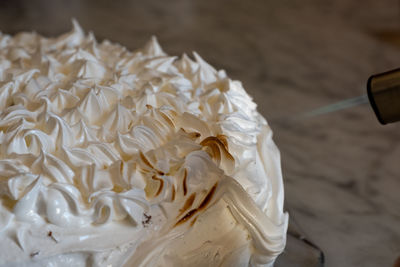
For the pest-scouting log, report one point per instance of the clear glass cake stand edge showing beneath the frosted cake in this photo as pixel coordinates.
(299, 250)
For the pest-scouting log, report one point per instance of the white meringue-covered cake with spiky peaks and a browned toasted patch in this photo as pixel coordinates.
(117, 158)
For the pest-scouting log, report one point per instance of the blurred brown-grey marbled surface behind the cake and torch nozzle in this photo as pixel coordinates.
(341, 170)
